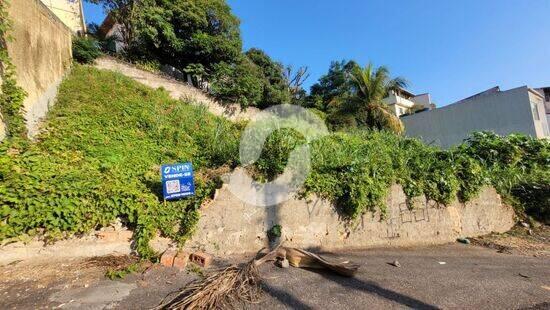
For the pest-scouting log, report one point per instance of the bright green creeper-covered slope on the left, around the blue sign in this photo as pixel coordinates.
(99, 159)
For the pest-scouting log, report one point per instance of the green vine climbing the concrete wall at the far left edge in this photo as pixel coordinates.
(11, 95)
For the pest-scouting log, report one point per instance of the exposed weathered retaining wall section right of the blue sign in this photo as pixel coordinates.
(230, 226)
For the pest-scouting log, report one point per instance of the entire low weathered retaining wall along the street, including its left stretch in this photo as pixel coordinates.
(228, 226)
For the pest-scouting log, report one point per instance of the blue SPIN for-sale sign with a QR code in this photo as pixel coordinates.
(177, 181)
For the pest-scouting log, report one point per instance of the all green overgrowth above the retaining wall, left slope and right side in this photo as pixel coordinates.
(107, 136)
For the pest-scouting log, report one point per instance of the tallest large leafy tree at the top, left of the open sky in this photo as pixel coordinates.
(183, 32)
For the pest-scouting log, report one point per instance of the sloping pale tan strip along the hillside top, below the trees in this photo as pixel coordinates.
(177, 90)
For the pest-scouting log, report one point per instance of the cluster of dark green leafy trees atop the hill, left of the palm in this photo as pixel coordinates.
(201, 38)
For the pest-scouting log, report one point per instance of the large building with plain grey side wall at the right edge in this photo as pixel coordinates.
(518, 110)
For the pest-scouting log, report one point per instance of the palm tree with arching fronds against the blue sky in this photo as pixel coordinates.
(370, 86)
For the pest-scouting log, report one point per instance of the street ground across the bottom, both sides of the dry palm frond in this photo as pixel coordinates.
(449, 277)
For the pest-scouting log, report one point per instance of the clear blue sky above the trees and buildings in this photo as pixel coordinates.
(451, 49)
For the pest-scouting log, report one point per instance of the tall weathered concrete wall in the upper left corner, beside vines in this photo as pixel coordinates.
(42, 53)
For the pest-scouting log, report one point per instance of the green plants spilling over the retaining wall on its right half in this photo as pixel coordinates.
(356, 169)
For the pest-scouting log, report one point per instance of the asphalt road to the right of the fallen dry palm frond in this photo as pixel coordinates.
(449, 277)
